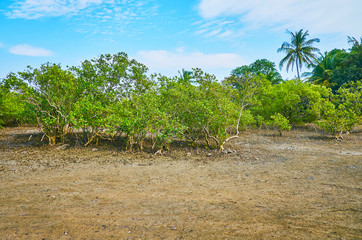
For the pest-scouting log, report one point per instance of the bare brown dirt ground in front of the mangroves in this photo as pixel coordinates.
(303, 185)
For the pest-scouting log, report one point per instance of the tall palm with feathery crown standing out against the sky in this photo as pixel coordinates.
(300, 51)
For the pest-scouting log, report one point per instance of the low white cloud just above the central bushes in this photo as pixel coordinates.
(166, 62)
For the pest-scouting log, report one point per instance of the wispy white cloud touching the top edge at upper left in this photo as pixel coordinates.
(33, 9)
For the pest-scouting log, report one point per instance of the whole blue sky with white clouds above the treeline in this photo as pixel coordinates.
(168, 35)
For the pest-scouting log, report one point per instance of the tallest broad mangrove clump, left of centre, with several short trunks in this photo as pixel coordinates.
(118, 97)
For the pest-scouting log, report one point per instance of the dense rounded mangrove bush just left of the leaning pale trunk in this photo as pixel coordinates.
(204, 108)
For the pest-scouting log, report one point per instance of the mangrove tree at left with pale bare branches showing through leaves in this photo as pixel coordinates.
(52, 92)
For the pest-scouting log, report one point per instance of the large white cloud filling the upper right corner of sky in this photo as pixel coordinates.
(318, 16)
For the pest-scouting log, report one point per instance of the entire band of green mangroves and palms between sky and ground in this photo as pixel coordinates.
(112, 95)
